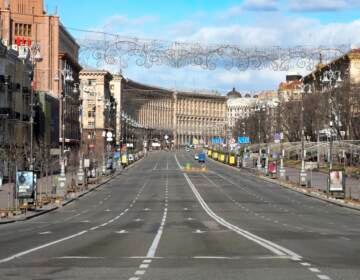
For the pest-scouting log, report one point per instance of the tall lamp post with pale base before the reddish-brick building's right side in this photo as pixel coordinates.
(66, 77)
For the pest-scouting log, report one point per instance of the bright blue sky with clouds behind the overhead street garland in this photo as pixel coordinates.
(248, 22)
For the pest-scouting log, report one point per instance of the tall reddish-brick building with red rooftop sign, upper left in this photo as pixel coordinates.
(25, 26)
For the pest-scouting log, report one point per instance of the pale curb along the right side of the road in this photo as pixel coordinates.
(315, 195)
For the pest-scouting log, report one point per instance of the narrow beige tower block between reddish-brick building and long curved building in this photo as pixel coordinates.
(98, 115)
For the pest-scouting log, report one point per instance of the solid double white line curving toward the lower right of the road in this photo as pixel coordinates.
(273, 247)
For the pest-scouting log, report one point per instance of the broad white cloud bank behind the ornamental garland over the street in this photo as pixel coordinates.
(271, 30)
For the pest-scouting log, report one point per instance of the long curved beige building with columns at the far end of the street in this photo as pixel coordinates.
(185, 117)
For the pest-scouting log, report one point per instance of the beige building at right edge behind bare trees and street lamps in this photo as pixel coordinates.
(344, 97)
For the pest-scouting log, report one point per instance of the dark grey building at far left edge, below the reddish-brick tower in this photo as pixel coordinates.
(15, 89)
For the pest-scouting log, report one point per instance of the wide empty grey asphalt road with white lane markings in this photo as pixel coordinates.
(156, 222)
